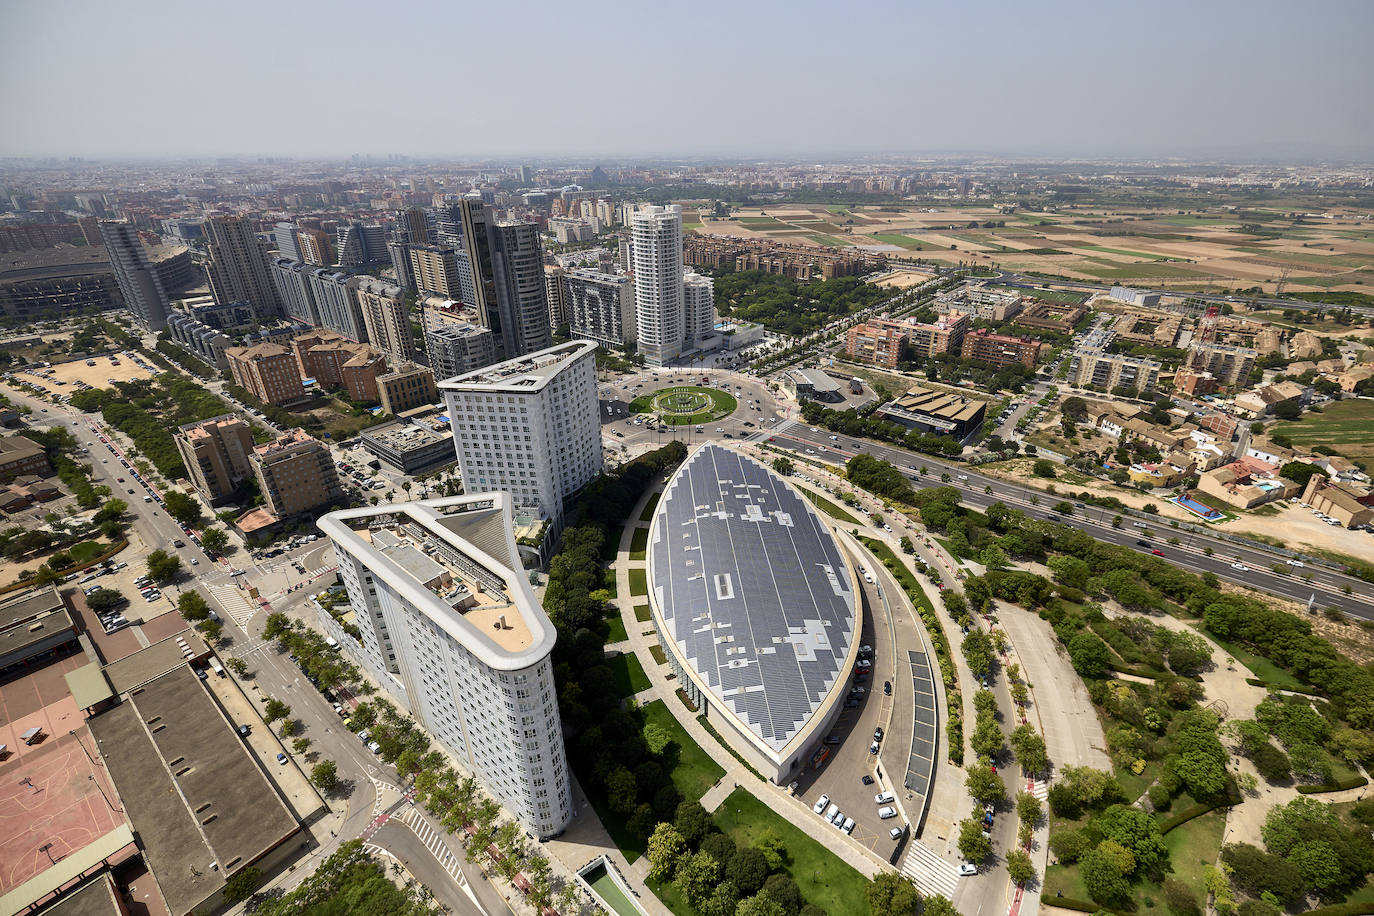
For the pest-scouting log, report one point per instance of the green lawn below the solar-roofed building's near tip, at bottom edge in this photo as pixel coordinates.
(824, 878)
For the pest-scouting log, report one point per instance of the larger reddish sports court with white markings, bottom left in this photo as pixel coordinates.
(54, 801)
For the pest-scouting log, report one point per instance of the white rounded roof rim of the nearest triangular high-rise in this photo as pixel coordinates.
(427, 513)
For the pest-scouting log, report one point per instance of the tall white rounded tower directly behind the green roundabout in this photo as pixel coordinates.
(657, 257)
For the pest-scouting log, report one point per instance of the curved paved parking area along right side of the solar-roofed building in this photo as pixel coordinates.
(842, 777)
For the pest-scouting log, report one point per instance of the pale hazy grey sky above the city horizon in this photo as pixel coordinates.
(585, 79)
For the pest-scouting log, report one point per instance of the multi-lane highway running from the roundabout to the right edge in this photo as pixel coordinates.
(1327, 587)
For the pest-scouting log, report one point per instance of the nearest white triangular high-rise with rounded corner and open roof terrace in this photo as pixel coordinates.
(449, 623)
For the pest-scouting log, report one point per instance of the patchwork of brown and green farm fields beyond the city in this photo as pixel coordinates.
(1196, 251)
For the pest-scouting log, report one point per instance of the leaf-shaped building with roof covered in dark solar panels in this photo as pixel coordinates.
(756, 606)
